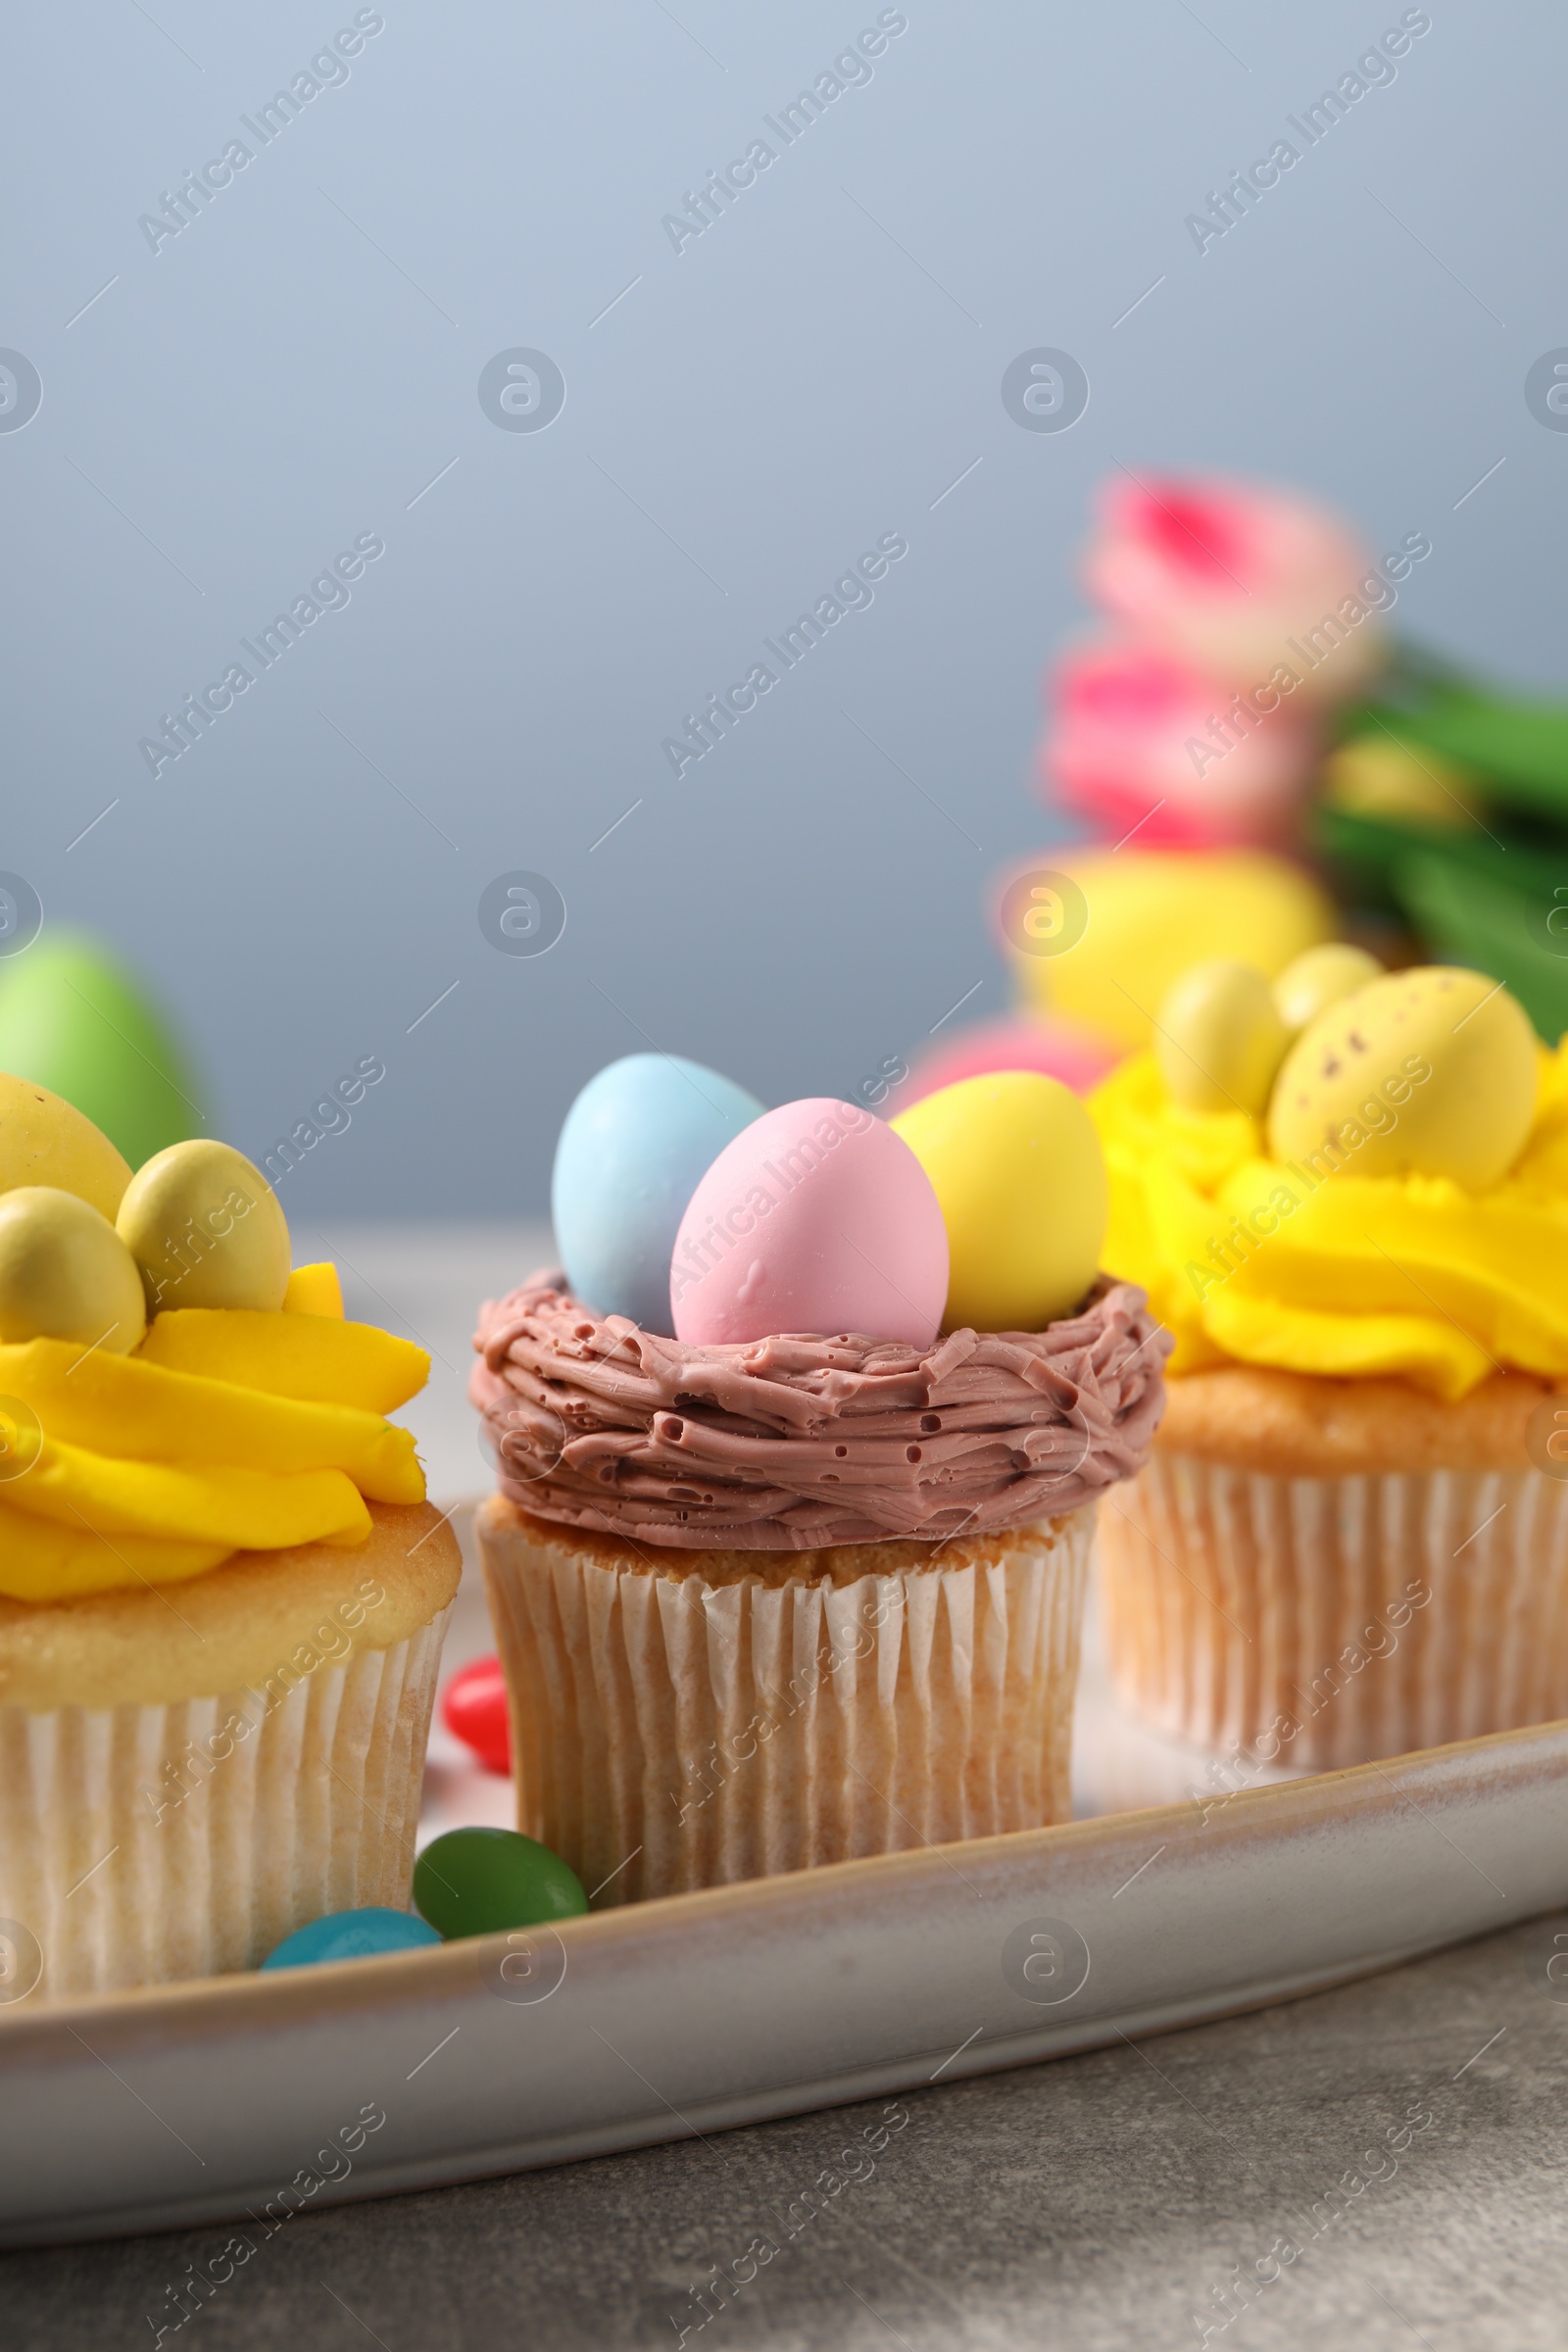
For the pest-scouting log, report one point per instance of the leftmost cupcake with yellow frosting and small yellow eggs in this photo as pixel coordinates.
(222, 1591)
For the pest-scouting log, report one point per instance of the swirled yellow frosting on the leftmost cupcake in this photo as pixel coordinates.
(225, 1431)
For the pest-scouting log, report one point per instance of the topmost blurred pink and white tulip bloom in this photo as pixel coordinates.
(1240, 582)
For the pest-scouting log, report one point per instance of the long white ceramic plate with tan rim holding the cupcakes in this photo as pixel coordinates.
(255, 2097)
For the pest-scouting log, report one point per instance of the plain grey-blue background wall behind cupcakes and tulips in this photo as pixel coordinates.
(744, 417)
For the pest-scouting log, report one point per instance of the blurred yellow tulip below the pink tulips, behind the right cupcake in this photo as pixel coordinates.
(1146, 916)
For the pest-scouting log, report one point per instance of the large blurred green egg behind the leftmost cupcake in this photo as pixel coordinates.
(81, 1024)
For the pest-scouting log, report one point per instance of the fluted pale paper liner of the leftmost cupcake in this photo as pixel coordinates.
(123, 1883)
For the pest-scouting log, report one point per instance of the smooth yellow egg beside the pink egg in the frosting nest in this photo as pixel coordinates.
(1017, 1168)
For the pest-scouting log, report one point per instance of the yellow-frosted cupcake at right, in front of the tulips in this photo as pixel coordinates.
(1348, 1201)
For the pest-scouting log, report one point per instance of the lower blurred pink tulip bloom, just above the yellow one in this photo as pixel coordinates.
(1144, 742)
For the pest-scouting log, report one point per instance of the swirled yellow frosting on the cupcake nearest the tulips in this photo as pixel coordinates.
(1327, 1271)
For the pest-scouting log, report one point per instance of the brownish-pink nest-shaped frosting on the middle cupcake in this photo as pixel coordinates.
(796, 1443)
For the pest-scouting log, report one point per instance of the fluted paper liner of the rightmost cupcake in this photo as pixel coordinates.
(1332, 1622)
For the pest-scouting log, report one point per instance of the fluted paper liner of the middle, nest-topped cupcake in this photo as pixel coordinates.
(678, 1732)
